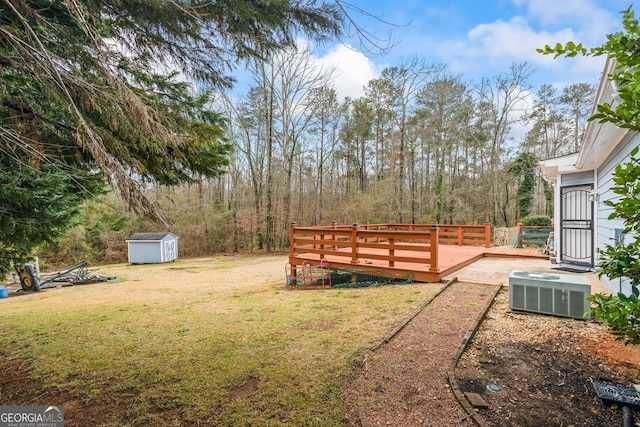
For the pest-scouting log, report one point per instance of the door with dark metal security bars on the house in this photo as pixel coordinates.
(576, 224)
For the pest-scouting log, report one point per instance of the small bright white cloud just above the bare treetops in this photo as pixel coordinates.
(352, 70)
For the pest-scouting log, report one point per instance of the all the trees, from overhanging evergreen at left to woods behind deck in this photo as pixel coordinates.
(133, 97)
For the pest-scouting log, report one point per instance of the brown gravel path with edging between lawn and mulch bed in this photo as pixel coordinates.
(404, 382)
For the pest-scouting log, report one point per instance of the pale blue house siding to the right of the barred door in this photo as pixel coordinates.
(606, 230)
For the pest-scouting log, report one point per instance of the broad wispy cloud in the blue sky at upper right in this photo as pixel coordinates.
(496, 45)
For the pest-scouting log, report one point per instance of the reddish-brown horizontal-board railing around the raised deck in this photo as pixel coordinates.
(393, 243)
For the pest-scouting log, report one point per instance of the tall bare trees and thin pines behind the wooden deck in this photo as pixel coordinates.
(421, 146)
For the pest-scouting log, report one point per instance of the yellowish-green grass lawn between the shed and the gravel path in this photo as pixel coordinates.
(214, 341)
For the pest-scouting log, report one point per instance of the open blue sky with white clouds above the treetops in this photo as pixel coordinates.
(476, 38)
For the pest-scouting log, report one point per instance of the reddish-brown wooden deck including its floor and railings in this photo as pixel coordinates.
(427, 252)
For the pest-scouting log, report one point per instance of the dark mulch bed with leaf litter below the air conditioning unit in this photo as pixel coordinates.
(544, 367)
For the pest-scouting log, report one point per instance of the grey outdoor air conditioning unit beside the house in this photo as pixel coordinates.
(548, 293)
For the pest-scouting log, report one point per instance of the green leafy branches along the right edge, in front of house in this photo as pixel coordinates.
(620, 261)
